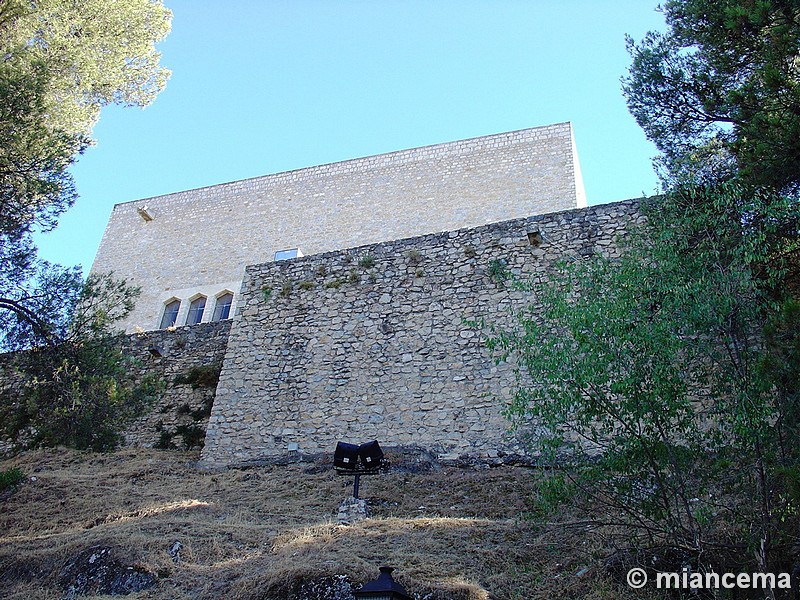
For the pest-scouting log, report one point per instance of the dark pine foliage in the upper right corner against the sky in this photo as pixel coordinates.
(719, 92)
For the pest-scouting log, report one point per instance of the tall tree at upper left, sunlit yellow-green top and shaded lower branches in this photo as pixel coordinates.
(60, 63)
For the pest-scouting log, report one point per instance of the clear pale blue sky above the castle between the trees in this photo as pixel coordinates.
(263, 86)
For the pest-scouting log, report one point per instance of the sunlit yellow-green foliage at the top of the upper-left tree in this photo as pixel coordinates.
(94, 53)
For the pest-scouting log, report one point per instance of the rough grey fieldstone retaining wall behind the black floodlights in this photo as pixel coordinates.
(373, 342)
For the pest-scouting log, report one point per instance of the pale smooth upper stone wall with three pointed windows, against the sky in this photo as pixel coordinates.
(197, 242)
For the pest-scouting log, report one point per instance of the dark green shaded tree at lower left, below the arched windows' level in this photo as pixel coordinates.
(80, 392)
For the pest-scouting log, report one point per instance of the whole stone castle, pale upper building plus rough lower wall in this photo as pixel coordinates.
(365, 333)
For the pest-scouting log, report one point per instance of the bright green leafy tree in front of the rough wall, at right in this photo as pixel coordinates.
(652, 376)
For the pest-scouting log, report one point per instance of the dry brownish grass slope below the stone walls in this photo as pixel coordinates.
(258, 533)
